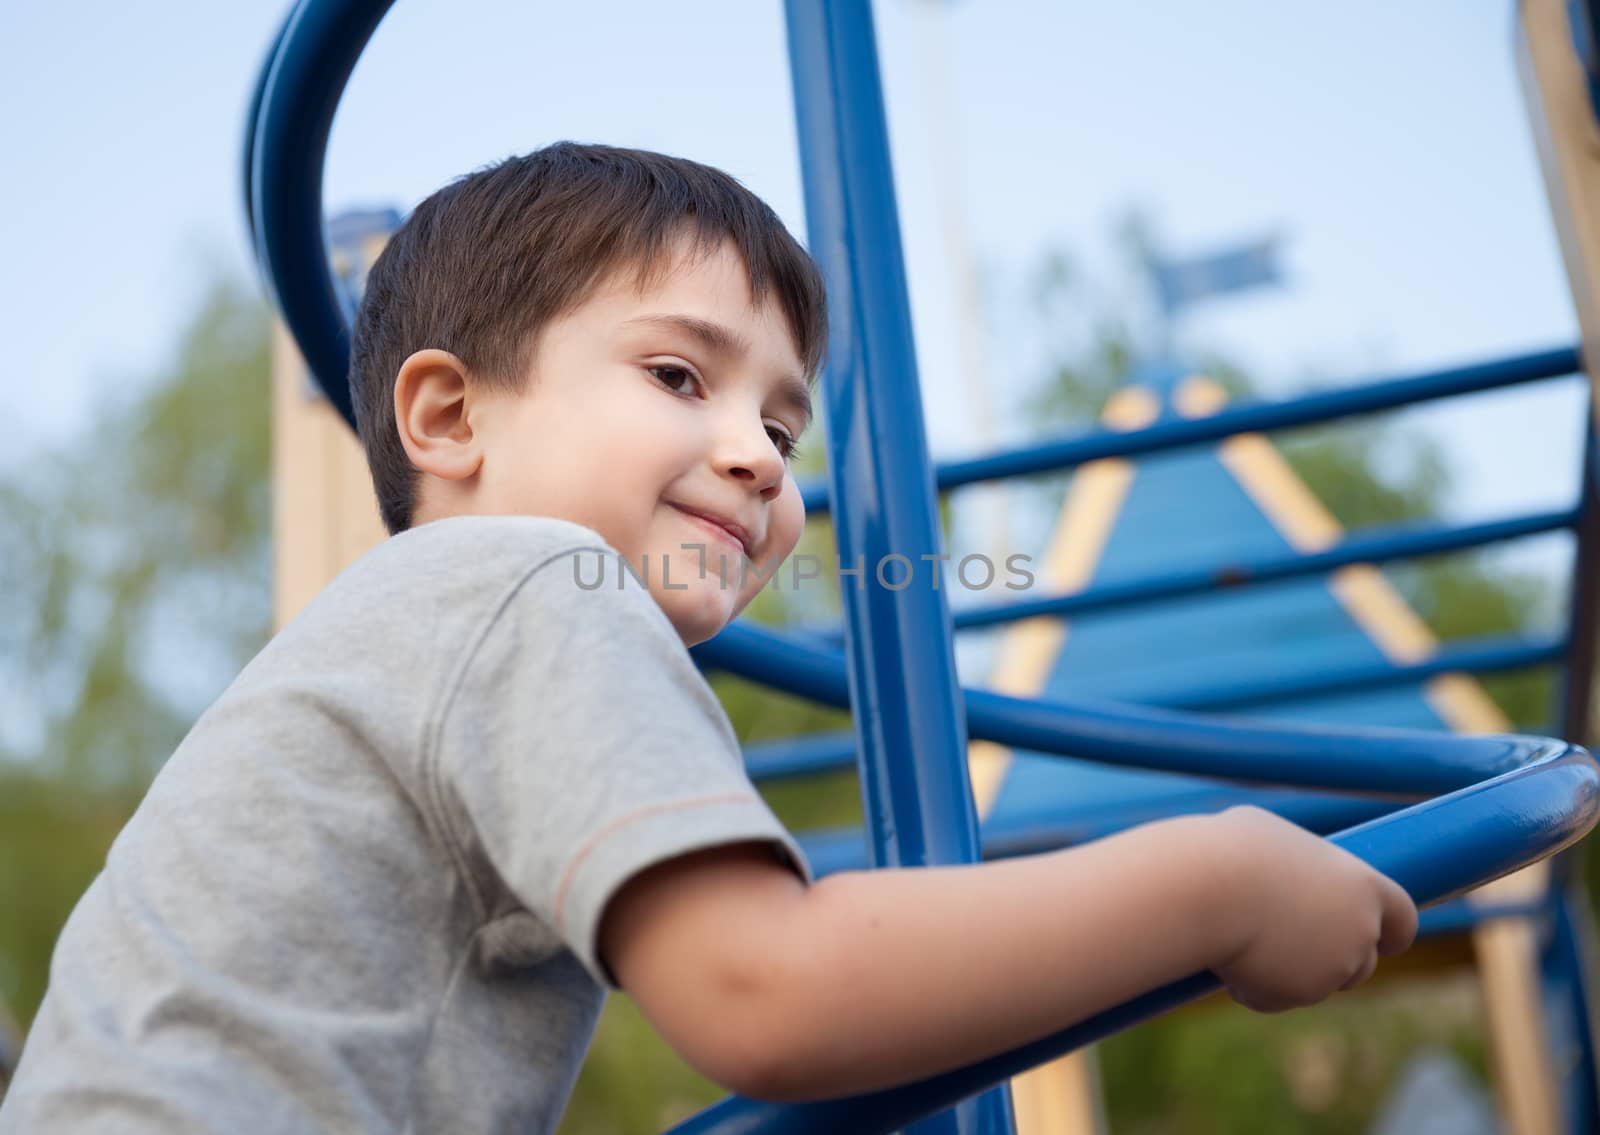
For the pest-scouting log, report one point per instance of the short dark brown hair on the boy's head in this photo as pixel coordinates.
(486, 263)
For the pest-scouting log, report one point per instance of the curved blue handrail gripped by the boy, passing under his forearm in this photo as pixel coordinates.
(1436, 851)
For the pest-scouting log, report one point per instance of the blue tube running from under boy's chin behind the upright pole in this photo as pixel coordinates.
(1402, 764)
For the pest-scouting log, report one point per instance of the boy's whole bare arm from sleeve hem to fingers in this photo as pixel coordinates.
(874, 979)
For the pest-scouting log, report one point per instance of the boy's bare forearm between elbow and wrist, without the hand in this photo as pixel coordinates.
(878, 979)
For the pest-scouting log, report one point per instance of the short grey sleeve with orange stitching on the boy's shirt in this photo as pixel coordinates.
(582, 747)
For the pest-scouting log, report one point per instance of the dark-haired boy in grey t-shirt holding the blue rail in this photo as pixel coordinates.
(388, 878)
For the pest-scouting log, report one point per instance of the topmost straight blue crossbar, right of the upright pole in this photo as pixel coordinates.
(1247, 419)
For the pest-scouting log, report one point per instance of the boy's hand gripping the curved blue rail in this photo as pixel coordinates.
(1314, 920)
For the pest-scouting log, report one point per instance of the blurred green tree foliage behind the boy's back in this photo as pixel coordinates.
(135, 588)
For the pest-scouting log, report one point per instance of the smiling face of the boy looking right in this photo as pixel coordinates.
(662, 419)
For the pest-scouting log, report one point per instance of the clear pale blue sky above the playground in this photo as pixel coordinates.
(1386, 142)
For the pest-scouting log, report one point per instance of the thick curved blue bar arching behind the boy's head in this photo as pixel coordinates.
(314, 58)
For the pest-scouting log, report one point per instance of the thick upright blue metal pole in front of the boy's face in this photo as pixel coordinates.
(902, 667)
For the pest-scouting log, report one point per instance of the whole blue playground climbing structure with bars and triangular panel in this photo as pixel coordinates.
(1105, 737)
